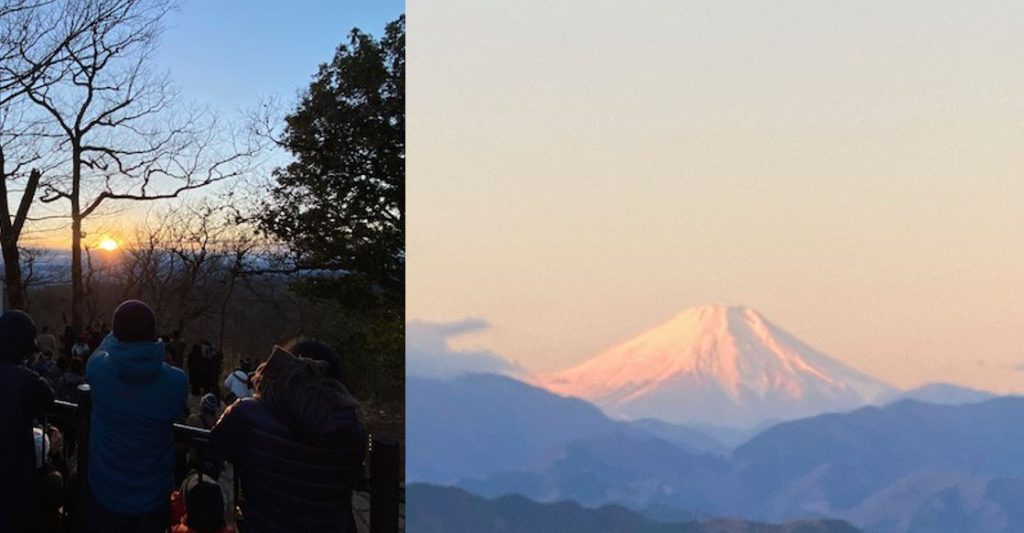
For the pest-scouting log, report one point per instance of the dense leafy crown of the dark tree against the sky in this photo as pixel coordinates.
(340, 206)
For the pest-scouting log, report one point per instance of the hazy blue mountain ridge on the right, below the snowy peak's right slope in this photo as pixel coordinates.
(907, 468)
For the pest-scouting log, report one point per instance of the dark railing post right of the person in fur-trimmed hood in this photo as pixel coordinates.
(385, 480)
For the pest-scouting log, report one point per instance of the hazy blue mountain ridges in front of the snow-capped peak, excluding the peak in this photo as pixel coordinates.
(940, 459)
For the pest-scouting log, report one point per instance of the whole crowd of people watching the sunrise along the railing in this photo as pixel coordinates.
(290, 431)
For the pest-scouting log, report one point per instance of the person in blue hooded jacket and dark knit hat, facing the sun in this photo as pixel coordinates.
(137, 399)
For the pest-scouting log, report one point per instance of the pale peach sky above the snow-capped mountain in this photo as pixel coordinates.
(584, 172)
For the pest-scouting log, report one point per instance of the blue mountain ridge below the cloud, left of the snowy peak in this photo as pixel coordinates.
(477, 425)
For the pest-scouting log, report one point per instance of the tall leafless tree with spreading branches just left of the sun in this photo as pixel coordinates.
(127, 136)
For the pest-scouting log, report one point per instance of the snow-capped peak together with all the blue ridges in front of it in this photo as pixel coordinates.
(676, 426)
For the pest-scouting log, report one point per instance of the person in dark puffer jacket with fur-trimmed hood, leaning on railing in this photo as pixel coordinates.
(297, 447)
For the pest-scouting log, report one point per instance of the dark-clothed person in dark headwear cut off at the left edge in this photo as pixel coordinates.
(24, 396)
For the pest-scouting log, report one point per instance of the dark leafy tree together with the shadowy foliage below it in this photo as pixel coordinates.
(339, 207)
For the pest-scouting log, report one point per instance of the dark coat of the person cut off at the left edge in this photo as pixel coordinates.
(24, 395)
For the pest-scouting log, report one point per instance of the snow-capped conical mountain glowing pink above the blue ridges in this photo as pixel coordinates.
(720, 366)
